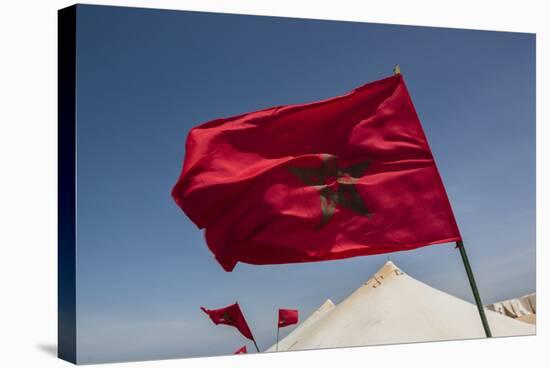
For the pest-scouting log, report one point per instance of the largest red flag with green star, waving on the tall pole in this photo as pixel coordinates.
(343, 177)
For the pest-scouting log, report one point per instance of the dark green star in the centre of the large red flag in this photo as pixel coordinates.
(342, 178)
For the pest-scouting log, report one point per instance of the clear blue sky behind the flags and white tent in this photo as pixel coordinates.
(145, 77)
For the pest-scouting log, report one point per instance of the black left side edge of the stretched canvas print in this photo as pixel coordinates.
(66, 185)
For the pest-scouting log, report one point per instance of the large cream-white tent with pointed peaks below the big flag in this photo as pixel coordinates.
(392, 307)
